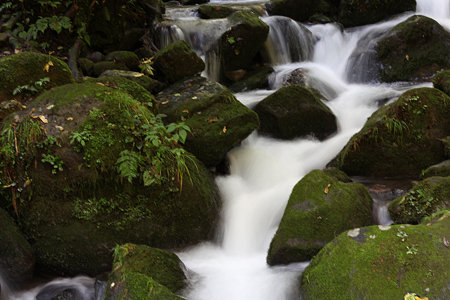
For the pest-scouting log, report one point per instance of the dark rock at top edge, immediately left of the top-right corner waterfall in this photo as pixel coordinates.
(362, 12)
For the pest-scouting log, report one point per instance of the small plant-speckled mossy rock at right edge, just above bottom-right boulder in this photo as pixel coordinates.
(423, 200)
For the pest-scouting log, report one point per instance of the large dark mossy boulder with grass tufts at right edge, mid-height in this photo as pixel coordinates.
(400, 139)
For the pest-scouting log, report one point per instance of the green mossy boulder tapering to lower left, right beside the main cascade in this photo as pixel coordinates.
(319, 208)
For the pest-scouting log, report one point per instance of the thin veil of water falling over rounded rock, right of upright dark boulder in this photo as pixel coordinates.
(288, 41)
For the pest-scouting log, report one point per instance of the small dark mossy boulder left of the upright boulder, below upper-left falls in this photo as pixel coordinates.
(178, 61)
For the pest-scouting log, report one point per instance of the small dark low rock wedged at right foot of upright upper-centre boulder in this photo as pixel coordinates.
(255, 79)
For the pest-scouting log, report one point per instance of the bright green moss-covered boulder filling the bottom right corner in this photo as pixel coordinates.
(382, 262)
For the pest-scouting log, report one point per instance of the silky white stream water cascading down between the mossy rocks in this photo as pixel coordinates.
(263, 171)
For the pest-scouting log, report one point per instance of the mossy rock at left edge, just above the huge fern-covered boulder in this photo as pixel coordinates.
(27, 68)
